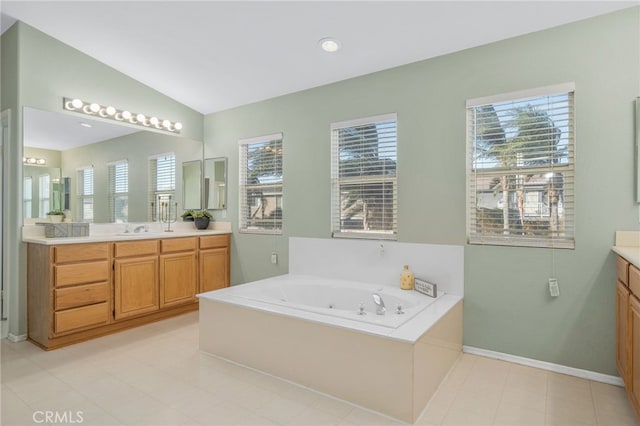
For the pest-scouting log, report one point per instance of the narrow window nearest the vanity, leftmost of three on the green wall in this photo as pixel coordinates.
(261, 184)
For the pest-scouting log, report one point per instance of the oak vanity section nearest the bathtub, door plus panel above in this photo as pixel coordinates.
(213, 262)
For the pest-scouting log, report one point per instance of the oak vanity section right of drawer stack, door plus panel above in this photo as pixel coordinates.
(135, 278)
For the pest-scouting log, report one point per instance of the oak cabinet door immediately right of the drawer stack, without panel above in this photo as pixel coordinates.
(136, 286)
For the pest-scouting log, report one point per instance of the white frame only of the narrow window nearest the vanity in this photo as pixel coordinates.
(277, 188)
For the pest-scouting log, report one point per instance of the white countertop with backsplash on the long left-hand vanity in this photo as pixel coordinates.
(116, 232)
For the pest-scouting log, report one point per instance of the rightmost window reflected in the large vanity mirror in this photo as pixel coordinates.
(162, 169)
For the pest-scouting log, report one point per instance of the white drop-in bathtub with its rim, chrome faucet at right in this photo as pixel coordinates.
(333, 298)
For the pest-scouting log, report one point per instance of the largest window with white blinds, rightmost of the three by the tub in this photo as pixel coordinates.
(521, 154)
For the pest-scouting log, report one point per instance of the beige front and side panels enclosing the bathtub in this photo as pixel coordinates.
(391, 376)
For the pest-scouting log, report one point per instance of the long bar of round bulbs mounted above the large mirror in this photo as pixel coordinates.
(112, 113)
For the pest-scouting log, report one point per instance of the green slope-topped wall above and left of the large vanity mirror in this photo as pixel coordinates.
(38, 71)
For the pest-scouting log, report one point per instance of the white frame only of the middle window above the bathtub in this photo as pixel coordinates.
(337, 230)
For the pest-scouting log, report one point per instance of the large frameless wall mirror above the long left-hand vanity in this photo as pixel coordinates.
(73, 143)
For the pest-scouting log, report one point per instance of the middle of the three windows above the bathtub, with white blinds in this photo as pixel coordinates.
(363, 175)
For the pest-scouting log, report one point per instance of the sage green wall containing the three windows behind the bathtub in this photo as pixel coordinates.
(507, 306)
